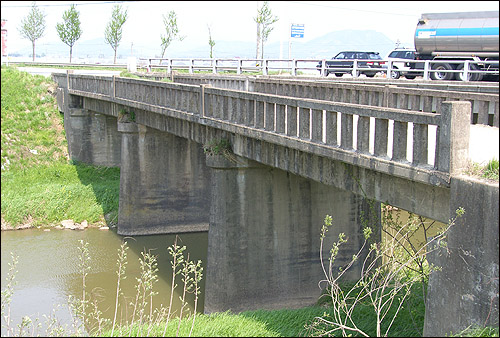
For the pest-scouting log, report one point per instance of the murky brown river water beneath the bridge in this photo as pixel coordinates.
(48, 269)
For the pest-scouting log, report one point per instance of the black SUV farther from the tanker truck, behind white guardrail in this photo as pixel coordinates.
(370, 63)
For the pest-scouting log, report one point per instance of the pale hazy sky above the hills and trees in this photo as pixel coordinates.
(232, 20)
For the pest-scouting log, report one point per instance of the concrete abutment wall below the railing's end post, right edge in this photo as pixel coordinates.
(465, 291)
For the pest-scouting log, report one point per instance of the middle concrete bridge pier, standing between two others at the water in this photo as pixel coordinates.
(164, 183)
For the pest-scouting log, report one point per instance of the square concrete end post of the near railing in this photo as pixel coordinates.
(452, 154)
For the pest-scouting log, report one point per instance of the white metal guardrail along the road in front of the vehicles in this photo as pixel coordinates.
(467, 67)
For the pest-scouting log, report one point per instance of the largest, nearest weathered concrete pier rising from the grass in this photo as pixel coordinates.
(264, 236)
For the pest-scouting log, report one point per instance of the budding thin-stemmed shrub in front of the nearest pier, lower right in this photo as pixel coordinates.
(384, 285)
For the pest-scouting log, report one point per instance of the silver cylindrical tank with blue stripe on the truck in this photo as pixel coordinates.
(468, 32)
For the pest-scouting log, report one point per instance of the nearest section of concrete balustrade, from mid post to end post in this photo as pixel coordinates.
(342, 125)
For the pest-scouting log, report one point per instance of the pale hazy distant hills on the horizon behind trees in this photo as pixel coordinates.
(325, 46)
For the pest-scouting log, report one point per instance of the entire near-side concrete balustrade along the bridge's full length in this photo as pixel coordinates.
(391, 140)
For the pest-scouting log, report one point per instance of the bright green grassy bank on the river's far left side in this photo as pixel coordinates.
(40, 186)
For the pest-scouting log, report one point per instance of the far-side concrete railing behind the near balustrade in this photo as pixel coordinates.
(485, 106)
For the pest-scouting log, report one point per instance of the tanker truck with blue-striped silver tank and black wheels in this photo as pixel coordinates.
(454, 38)
